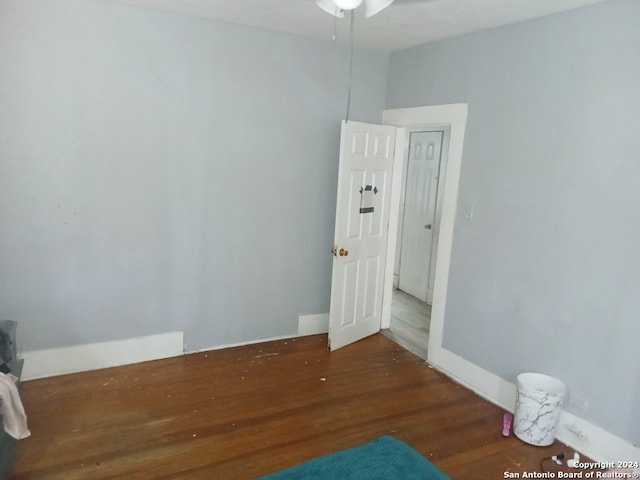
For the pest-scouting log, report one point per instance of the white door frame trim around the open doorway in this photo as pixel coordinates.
(455, 117)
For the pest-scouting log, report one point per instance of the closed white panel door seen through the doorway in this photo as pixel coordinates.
(418, 226)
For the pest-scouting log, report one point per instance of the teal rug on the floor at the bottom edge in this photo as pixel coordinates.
(384, 458)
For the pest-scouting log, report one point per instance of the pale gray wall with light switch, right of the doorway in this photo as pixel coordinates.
(546, 275)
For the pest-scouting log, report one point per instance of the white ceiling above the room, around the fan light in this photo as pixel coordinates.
(406, 23)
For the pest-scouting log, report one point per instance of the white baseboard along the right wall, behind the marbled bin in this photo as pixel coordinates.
(582, 436)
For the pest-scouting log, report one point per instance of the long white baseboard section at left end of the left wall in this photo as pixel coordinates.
(93, 356)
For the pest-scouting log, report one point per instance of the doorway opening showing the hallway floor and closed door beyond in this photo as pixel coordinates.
(419, 215)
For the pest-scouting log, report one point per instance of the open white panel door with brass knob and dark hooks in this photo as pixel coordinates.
(362, 217)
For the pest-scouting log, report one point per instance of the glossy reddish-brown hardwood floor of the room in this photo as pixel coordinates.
(247, 411)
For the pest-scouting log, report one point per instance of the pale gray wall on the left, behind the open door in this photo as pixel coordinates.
(162, 173)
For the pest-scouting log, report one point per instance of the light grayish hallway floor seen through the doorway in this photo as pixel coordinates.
(410, 320)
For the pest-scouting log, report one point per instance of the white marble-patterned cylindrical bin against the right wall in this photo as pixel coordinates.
(538, 407)
